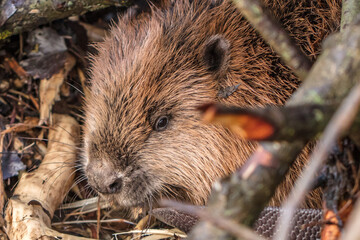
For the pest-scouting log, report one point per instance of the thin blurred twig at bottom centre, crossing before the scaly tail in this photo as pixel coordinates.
(230, 226)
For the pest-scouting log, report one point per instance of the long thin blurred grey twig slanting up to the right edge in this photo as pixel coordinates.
(341, 121)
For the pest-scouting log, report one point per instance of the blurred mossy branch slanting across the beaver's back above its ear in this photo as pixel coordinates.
(275, 35)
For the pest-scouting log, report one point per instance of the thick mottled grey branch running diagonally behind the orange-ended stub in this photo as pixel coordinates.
(247, 192)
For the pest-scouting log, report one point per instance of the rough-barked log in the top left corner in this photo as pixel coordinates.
(25, 15)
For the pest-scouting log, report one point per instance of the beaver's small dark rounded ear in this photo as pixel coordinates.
(216, 53)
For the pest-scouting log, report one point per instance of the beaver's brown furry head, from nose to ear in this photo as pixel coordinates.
(144, 138)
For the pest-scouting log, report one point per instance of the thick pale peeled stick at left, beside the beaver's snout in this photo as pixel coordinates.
(39, 193)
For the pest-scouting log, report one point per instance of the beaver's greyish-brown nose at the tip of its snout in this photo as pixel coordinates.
(103, 177)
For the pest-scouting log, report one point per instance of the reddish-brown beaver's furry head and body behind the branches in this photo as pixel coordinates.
(143, 135)
